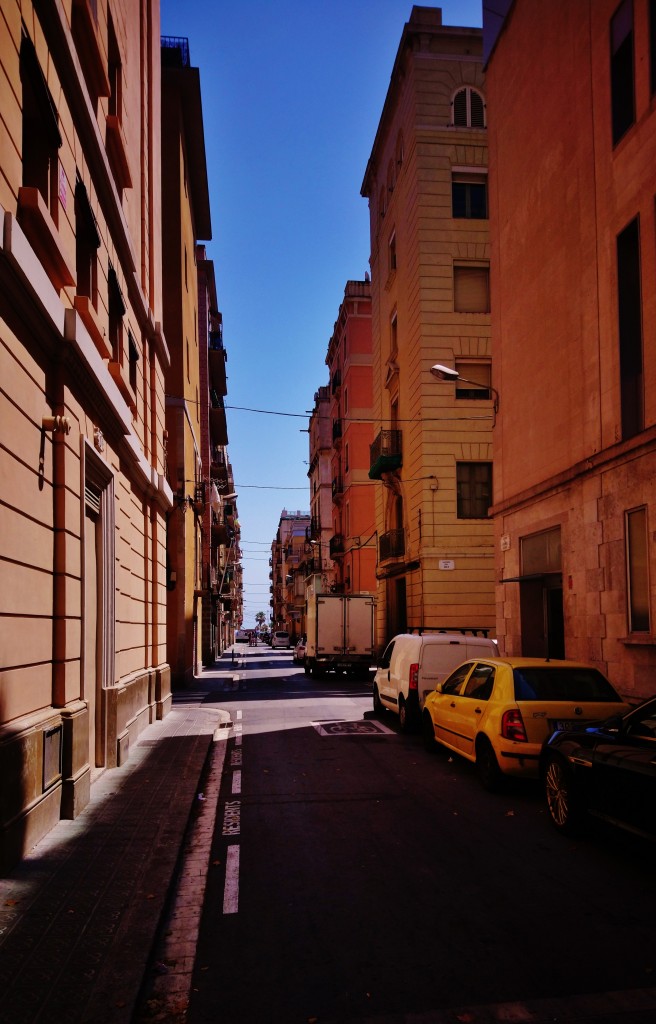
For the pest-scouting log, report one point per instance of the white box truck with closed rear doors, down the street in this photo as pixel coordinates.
(340, 634)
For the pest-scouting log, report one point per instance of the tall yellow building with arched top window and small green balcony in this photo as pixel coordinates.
(426, 183)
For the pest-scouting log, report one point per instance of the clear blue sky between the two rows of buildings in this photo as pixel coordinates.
(293, 92)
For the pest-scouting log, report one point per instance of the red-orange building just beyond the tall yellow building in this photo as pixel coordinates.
(353, 544)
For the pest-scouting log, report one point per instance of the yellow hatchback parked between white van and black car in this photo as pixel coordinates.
(498, 712)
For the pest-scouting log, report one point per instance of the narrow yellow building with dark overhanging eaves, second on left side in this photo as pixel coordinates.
(187, 220)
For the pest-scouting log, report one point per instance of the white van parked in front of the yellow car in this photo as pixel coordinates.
(414, 664)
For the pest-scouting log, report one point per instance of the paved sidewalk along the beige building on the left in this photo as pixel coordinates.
(79, 916)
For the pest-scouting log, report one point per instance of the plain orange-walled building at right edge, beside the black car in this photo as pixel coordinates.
(575, 259)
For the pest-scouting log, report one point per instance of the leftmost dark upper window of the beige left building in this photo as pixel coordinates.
(41, 139)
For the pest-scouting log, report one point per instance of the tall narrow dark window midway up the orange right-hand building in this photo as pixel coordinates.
(631, 331)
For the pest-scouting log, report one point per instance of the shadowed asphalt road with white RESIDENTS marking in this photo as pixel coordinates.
(356, 877)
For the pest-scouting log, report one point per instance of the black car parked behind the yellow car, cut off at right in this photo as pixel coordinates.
(607, 771)
